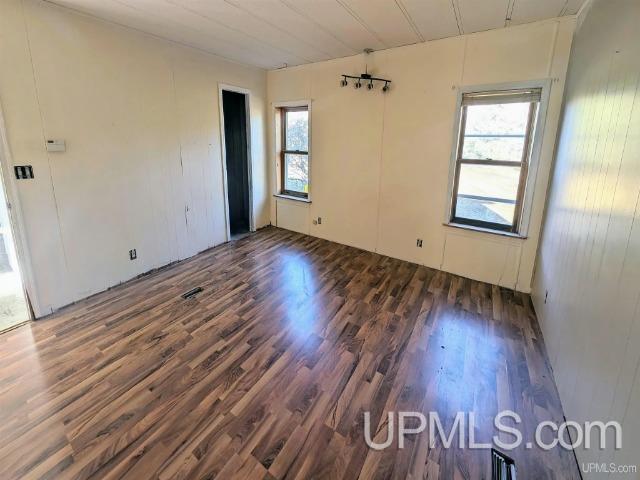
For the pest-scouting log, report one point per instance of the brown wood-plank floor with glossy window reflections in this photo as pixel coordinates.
(267, 372)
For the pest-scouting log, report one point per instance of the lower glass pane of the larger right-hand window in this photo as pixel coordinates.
(487, 193)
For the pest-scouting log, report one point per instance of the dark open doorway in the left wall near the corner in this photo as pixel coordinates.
(236, 148)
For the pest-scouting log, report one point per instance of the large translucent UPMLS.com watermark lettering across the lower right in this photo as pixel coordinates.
(548, 434)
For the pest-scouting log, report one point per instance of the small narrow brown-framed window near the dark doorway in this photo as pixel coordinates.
(294, 152)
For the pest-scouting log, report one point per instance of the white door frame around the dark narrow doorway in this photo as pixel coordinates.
(247, 103)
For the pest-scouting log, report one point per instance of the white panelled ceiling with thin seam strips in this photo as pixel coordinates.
(274, 33)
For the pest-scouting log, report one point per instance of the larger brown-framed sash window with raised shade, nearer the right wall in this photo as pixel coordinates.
(493, 150)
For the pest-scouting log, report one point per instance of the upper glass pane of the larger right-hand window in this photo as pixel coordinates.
(495, 132)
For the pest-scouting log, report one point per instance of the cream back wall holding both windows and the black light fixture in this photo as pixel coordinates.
(380, 163)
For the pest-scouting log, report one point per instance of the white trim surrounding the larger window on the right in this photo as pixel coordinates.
(534, 160)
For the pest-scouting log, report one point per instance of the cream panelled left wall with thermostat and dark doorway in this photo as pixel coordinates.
(143, 162)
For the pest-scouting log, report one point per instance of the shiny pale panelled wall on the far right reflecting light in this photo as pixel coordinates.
(589, 259)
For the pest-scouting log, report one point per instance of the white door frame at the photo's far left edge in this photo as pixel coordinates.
(16, 221)
